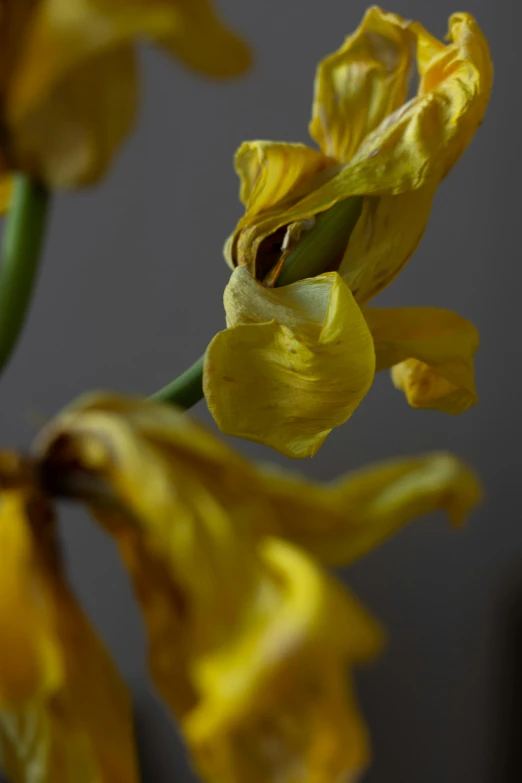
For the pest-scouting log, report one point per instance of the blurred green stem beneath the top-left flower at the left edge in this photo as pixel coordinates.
(21, 251)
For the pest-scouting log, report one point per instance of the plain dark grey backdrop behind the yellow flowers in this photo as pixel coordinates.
(130, 293)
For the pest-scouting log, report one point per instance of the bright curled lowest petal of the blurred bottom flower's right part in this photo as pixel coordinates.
(279, 704)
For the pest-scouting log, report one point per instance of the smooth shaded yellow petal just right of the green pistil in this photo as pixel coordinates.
(384, 239)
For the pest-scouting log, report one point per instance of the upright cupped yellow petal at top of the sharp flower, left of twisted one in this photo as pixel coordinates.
(361, 84)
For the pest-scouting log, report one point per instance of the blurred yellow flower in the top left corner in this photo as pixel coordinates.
(69, 77)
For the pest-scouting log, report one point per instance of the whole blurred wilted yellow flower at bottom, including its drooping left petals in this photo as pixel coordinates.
(251, 642)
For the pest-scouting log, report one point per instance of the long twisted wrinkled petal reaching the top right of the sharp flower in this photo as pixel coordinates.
(412, 148)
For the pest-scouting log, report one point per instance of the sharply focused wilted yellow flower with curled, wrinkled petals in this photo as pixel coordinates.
(308, 348)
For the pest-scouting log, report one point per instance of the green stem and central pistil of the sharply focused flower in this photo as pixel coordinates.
(314, 253)
